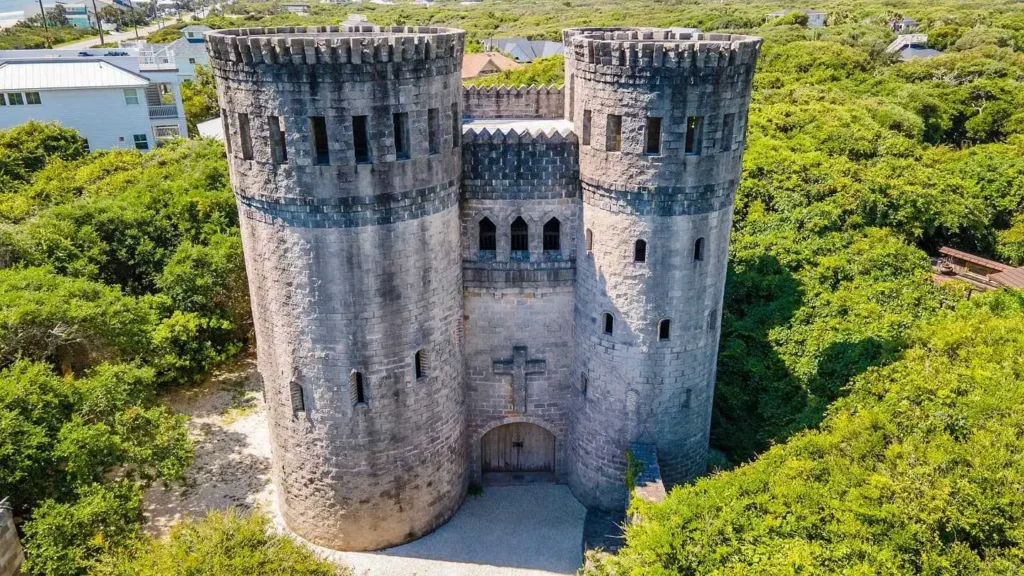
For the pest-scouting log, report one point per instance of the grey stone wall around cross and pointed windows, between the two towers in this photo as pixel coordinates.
(526, 301)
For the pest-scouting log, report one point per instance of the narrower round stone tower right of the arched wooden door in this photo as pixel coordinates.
(661, 118)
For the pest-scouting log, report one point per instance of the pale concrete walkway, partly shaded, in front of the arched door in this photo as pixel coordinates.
(508, 531)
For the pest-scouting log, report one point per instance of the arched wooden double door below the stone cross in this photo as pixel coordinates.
(519, 454)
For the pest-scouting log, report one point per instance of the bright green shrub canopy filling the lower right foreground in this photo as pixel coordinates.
(918, 471)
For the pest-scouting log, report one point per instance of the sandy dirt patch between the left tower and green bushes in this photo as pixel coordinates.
(228, 422)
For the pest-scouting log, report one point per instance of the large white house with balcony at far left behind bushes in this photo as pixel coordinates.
(114, 100)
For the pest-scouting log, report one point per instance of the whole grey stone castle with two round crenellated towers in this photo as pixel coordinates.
(456, 285)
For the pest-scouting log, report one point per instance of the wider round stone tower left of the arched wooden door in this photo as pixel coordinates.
(346, 160)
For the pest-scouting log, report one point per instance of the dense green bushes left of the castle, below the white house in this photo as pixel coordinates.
(122, 273)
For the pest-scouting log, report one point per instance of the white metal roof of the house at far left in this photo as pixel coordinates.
(52, 75)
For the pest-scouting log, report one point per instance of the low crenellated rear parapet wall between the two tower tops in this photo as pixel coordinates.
(514, 102)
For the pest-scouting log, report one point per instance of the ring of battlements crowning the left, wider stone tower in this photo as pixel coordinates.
(335, 45)
